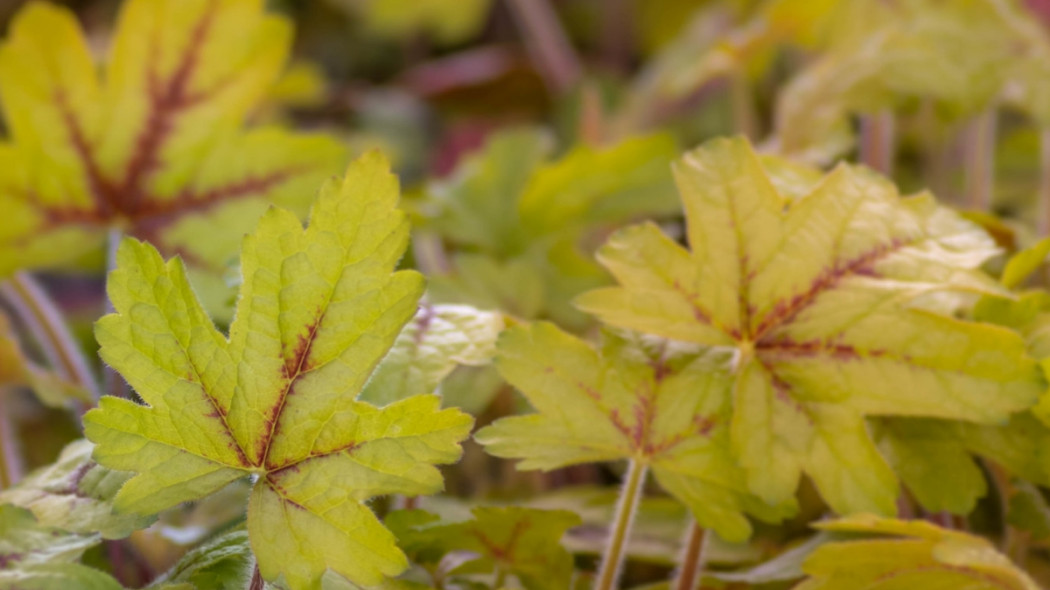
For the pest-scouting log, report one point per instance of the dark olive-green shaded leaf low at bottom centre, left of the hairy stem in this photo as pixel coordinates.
(499, 542)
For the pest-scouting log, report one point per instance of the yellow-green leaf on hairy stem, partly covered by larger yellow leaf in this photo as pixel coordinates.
(661, 405)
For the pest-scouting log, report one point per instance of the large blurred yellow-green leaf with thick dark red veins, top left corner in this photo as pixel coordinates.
(156, 147)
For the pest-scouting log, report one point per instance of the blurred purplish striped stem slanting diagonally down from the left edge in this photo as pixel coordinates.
(47, 325)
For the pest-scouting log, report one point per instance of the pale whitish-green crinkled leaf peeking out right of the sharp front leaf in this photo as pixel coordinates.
(437, 341)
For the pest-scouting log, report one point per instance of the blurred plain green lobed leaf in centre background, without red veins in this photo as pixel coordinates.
(520, 224)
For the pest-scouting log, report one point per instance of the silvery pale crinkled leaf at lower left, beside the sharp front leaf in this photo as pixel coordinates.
(77, 495)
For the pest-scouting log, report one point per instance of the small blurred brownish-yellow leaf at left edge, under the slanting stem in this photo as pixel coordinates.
(16, 369)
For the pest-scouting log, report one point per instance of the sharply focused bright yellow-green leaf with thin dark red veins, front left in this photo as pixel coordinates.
(319, 309)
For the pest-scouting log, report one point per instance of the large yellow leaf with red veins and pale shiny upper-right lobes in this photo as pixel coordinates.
(828, 303)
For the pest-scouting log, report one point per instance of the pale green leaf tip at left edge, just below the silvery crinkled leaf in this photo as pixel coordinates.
(25, 542)
